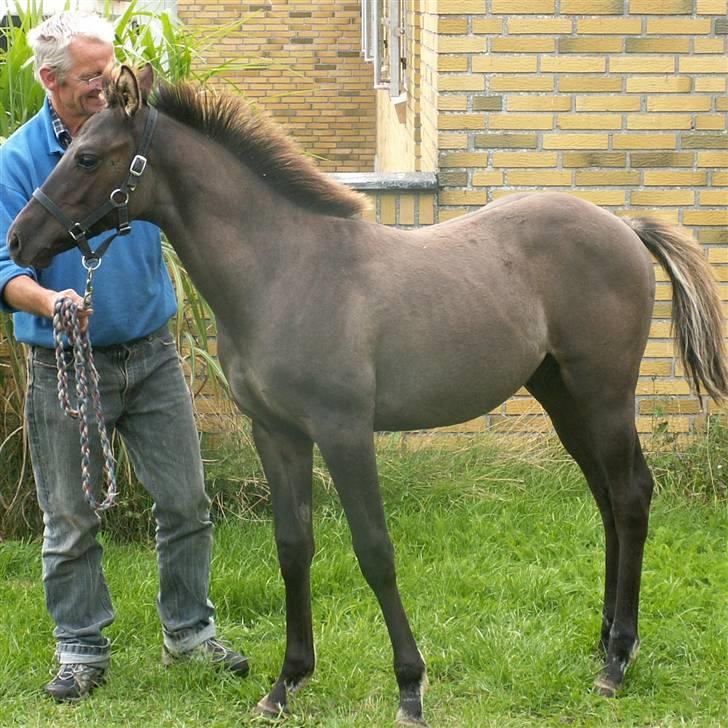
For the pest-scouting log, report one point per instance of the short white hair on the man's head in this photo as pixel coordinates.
(49, 40)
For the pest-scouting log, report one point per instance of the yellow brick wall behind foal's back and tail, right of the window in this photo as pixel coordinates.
(619, 102)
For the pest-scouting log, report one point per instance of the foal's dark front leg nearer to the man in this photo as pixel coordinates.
(287, 458)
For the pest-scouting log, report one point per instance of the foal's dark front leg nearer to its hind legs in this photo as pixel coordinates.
(349, 455)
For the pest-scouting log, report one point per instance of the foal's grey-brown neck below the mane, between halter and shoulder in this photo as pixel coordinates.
(232, 230)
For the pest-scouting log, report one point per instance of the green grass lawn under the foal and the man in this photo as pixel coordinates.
(500, 567)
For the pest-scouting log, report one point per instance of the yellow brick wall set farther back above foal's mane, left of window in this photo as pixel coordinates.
(312, 78)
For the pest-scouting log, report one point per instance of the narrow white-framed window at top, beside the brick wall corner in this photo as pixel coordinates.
(384, 43)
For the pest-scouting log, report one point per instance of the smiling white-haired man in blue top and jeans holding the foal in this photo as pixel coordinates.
(143, 392)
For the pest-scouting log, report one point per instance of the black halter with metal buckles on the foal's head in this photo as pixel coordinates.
(118, 200)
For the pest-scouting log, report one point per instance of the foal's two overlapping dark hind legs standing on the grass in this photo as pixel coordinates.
(598, 431)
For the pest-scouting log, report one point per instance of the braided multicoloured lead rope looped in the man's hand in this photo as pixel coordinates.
(66, 323)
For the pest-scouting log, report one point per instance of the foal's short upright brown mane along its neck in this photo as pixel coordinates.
(254, 138)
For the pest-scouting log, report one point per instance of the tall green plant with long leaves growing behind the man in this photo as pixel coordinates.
(176, 53)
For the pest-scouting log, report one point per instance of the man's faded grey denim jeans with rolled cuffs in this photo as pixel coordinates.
(145, 398)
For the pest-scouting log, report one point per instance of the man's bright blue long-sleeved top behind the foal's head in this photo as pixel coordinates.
(133, 294)
